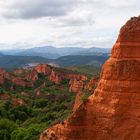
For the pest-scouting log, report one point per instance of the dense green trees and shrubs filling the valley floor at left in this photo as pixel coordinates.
(38, 112)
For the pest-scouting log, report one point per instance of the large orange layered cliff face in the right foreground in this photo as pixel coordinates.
(113, 111)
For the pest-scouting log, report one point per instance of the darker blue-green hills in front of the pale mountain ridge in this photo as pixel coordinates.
(10, 62)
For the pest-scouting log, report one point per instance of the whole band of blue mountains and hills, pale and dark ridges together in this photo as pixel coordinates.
(61, 57)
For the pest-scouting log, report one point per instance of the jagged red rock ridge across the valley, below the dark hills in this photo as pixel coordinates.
(27, 77)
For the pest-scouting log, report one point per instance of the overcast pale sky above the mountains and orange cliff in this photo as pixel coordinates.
(63, 23)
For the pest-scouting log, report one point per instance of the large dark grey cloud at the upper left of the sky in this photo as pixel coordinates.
(27, 9)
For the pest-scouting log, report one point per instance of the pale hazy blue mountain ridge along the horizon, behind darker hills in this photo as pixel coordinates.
(51, 52)
